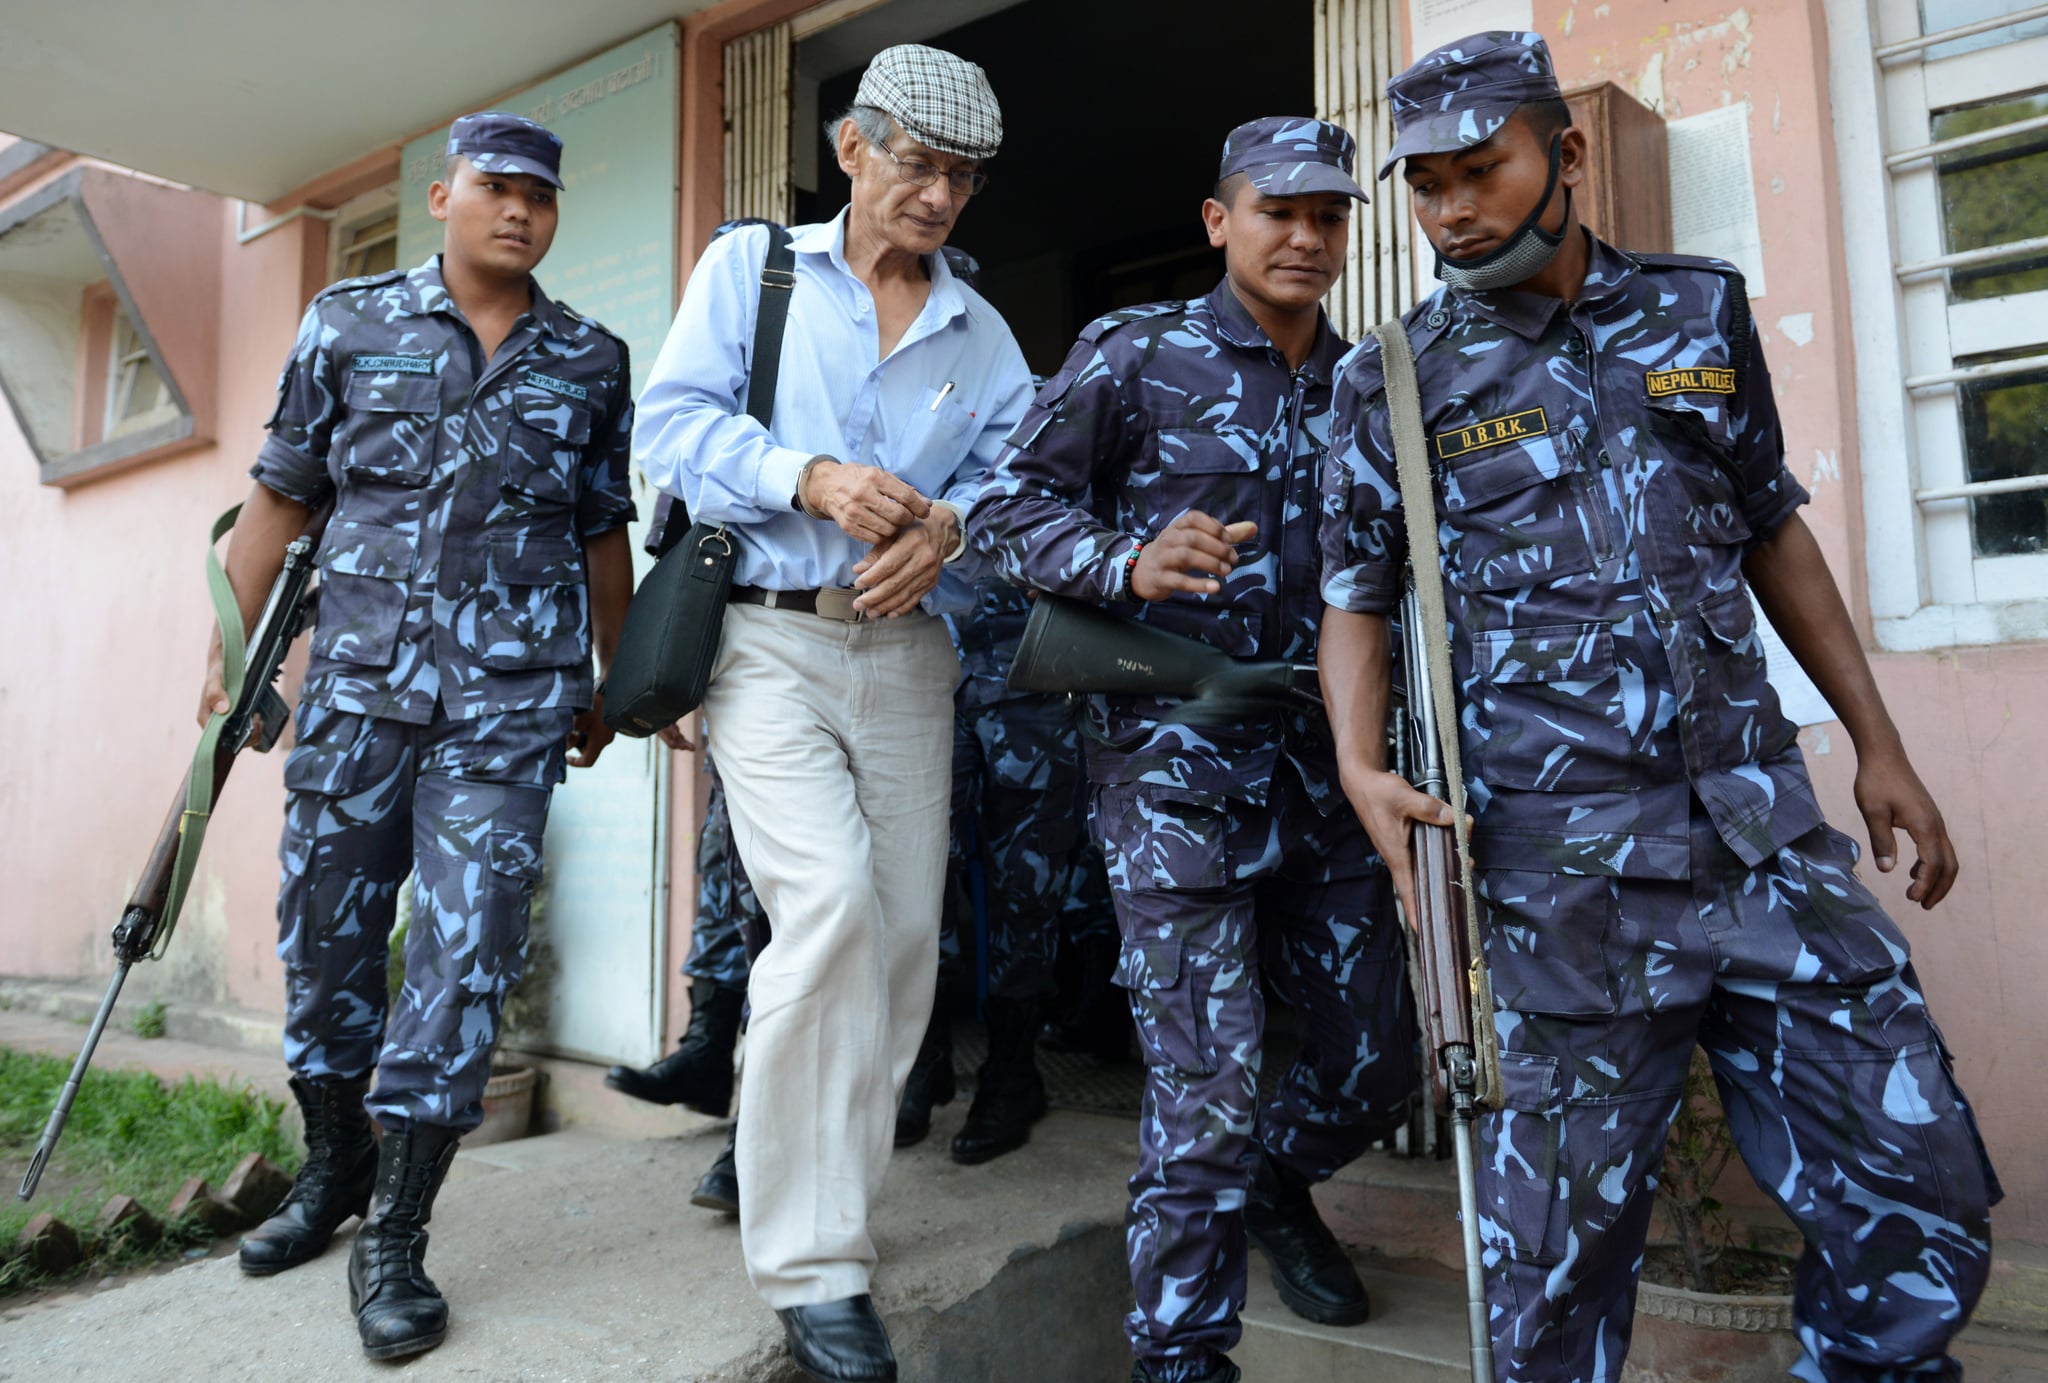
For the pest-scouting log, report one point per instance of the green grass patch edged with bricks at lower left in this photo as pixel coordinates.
(130, 1134)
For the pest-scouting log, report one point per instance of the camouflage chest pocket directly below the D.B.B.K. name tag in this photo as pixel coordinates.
(1519, 515)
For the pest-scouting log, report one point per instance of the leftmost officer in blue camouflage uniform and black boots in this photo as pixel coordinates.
(472, 439)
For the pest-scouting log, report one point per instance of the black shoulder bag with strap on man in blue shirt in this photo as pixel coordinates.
(673, 628)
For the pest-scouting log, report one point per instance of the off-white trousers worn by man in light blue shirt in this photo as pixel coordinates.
(835, 745)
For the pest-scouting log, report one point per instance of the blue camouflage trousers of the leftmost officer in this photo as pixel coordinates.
(458, 804)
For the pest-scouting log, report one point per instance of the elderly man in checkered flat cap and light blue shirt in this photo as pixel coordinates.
(833, 691)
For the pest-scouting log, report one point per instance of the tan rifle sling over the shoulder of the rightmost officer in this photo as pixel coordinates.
(1418, 507)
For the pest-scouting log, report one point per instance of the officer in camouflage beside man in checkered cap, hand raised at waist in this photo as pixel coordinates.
(1172, 470)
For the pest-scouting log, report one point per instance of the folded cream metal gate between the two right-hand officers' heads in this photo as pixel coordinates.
(1357, 52)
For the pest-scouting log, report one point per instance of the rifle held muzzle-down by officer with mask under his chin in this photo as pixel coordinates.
(1453, 989)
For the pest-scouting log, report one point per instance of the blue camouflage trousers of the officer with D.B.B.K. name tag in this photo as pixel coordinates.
(1836, 1085)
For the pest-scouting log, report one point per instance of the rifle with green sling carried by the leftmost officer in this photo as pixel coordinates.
(257, 718)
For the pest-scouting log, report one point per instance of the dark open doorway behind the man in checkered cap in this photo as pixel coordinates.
(1115, 116)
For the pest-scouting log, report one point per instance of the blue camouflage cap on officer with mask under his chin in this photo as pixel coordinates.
(1465, 91)
